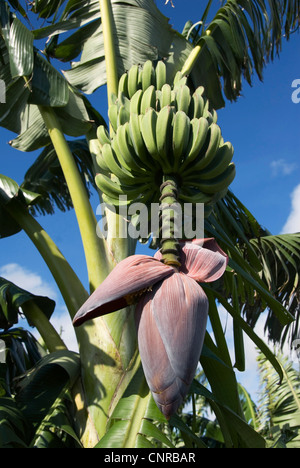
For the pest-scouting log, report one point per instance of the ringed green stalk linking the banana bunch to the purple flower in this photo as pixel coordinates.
(170, 247)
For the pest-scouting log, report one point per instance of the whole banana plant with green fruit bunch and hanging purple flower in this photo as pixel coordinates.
(129, 157)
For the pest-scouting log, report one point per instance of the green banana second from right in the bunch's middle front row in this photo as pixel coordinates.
(198, 138)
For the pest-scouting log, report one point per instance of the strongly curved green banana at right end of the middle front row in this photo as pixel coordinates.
(204, 159)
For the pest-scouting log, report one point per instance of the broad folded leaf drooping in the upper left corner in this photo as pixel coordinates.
(39, 84)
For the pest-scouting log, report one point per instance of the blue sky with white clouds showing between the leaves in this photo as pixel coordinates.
(263, 126)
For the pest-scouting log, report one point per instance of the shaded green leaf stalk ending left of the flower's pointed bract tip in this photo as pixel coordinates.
(67, 281)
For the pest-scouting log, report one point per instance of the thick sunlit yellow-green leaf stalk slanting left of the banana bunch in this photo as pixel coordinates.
(94, 247)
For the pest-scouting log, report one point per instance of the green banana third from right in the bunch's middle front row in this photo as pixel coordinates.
(180, 137)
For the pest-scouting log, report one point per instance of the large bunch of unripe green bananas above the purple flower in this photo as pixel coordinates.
(159, 129)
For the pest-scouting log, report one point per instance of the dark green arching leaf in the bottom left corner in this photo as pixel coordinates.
(36, 414)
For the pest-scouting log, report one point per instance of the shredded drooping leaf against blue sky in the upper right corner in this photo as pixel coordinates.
(238, 41)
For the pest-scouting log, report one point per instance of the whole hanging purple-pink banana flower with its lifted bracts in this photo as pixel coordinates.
(171, 313)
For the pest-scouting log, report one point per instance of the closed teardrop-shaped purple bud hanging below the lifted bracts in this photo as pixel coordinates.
(171, 324)
